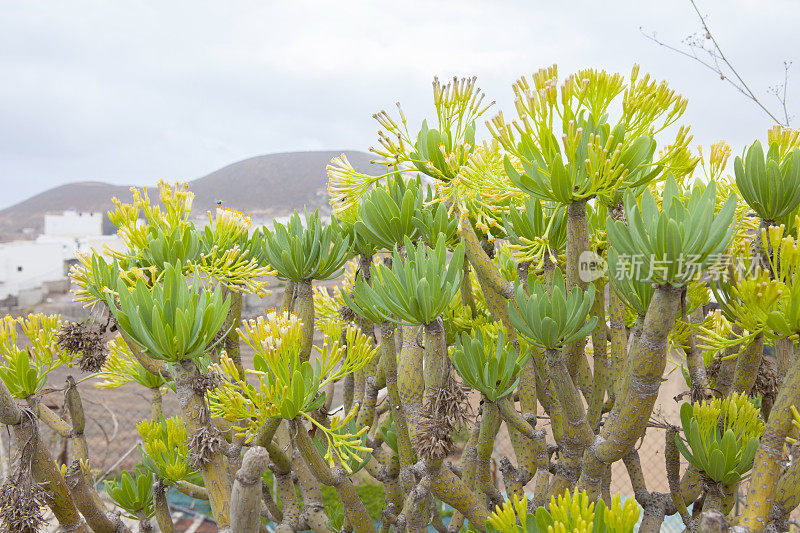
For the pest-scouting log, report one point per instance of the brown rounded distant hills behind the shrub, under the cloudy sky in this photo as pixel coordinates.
(264, 186)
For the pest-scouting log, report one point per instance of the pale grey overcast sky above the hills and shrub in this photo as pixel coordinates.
(134, 92)
